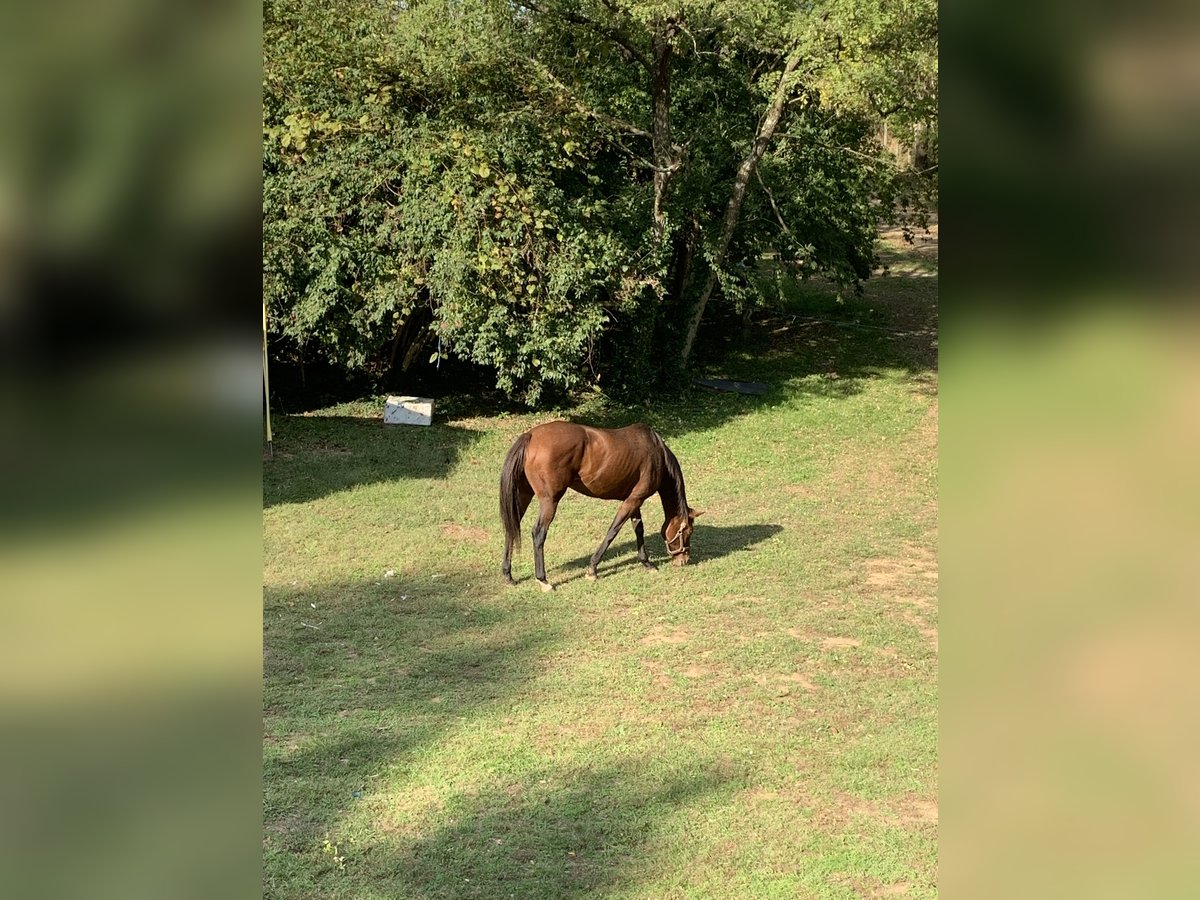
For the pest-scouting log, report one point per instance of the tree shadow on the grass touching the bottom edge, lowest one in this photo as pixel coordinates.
(565, 835)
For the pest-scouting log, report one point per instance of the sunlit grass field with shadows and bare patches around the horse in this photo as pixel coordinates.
(760, 724)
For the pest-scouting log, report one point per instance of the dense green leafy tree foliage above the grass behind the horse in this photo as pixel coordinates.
(488, 175)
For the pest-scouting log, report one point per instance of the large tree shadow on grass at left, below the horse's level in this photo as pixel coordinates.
(361, 677)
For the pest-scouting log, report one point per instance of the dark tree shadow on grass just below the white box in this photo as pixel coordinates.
(316, 457)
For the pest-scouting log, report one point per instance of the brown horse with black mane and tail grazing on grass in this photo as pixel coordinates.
(626, 465)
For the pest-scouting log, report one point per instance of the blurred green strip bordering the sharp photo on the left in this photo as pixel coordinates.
(130, 415)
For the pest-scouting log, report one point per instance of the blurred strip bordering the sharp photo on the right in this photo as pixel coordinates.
(1071, 494)
